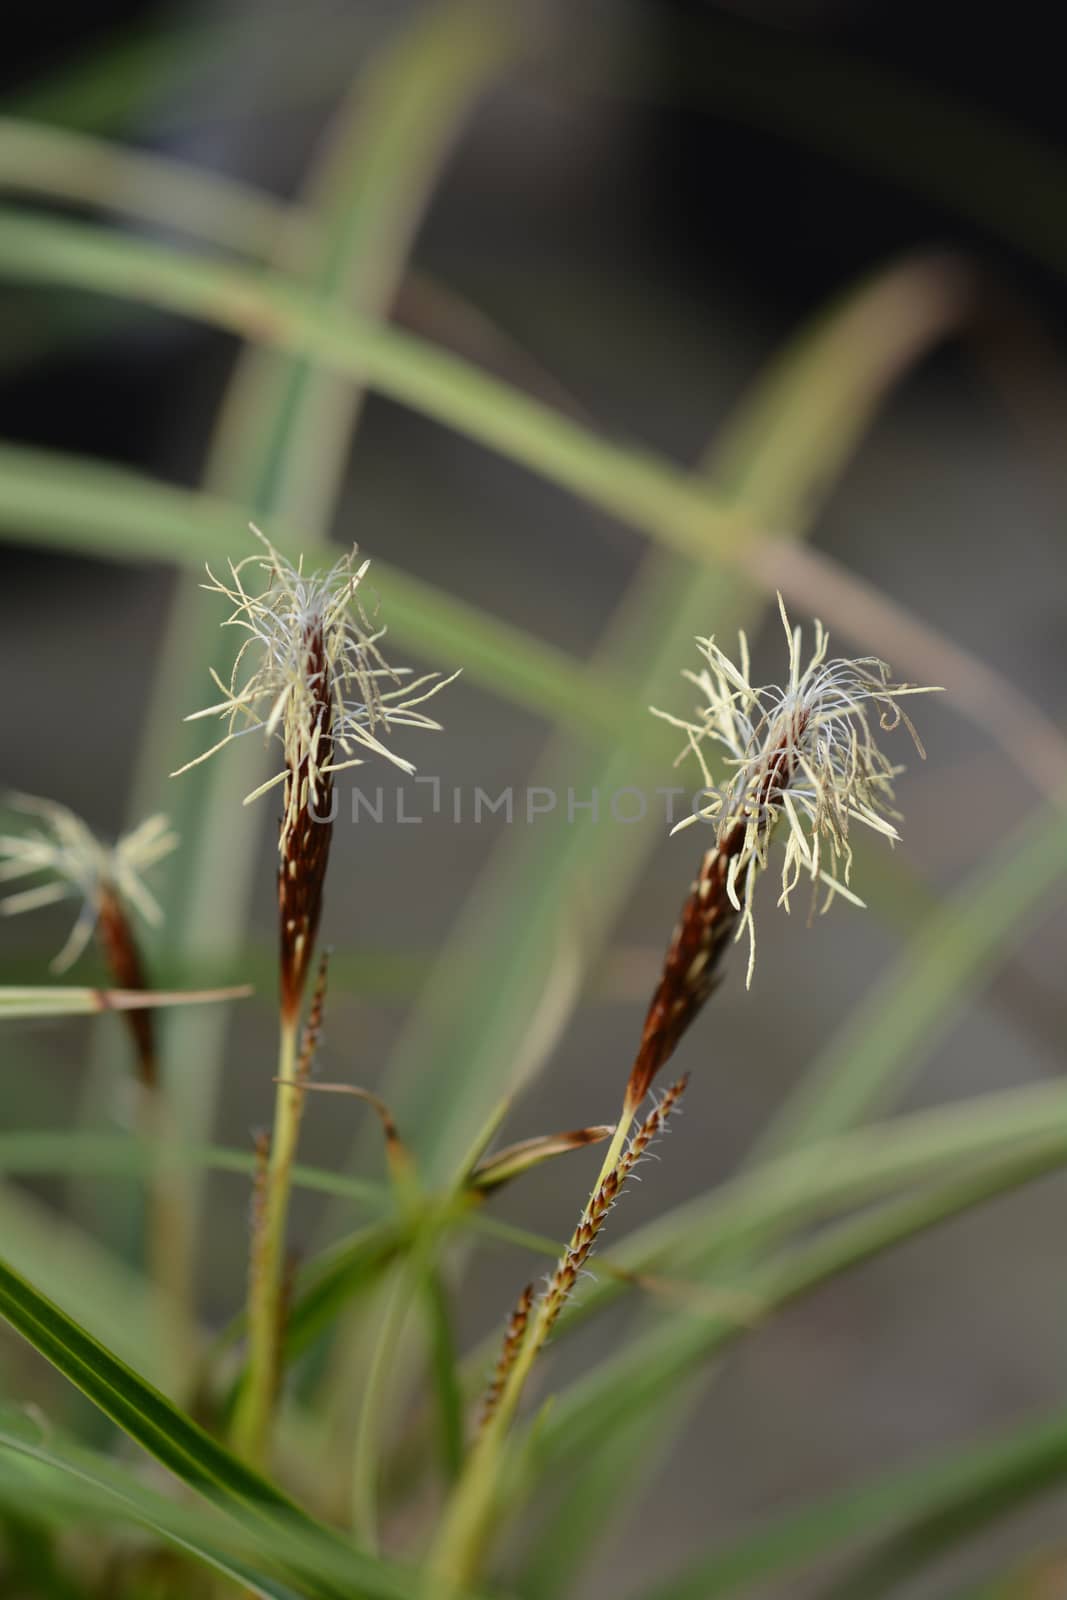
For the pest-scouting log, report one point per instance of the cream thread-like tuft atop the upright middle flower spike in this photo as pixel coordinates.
(316, 665)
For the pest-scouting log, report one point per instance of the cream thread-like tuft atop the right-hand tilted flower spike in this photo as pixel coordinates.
(804, 754)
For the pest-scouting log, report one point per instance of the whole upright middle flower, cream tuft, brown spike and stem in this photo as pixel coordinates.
(310, 674)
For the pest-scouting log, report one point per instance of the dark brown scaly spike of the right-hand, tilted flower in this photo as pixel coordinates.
(708, 922)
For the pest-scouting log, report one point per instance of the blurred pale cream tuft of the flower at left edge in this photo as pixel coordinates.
(81, 863)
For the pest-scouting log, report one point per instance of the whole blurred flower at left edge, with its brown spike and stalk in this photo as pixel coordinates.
(110, 881)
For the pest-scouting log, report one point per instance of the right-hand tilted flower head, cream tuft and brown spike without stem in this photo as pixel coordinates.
(804, 756)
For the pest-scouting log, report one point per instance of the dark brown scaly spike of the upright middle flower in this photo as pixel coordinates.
(306, 839)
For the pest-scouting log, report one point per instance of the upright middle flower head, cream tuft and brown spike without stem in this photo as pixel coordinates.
(311, 674)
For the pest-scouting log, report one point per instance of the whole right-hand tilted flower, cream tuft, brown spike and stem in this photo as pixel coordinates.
(802, 761)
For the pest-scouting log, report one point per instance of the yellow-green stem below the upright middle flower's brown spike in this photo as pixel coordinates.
(252, 1433)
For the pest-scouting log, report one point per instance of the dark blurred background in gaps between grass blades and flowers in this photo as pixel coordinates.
(647, 209)
